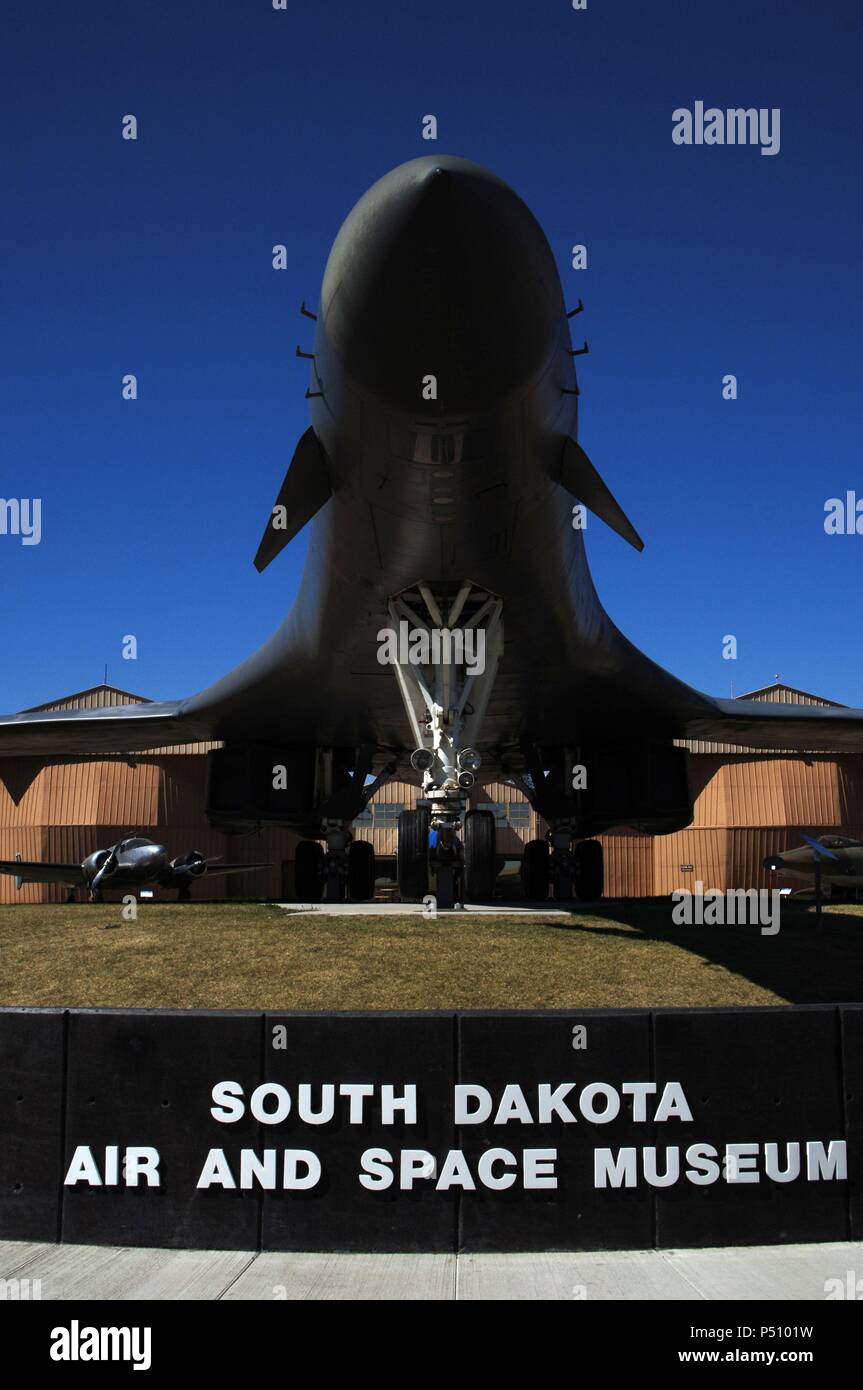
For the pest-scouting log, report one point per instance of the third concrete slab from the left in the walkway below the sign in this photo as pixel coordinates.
(579, 1277)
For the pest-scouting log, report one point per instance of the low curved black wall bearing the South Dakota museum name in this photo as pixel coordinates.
(433, 1132)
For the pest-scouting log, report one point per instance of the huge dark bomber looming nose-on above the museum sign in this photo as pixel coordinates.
(440, 473)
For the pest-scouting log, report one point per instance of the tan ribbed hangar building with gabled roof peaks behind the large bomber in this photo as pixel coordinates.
(748, 804)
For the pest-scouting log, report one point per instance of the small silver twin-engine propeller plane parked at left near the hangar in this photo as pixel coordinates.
(131, 864)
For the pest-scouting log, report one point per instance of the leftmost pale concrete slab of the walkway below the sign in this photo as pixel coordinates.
(95, 1273)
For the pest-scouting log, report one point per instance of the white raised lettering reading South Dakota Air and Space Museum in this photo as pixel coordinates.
(495, 1168)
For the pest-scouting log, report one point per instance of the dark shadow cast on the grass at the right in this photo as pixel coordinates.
(803, 964)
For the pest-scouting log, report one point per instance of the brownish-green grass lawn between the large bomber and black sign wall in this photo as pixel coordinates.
(625, 954)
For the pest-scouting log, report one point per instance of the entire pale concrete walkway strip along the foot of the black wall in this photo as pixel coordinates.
(755, 1273)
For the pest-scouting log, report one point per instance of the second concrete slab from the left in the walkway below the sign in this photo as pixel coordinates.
(390, 1278)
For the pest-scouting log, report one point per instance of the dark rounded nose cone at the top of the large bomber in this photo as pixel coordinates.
(441, 272)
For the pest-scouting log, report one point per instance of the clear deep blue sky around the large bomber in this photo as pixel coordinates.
(261, 127)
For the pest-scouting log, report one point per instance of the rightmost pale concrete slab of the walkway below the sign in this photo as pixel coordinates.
(769, 1273)
